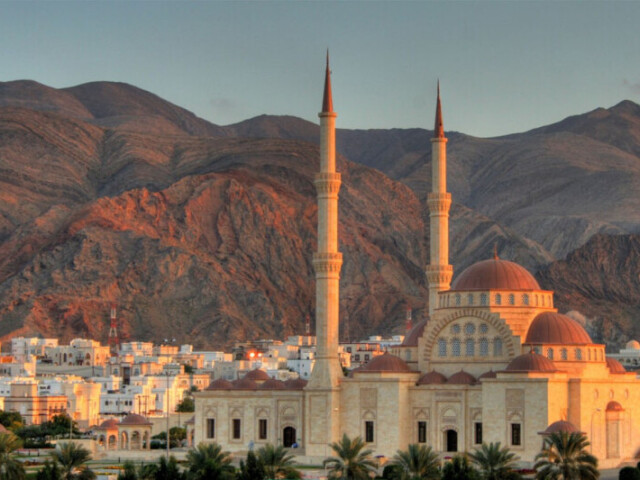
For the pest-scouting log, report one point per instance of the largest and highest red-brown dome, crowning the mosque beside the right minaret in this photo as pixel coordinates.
(495, 274)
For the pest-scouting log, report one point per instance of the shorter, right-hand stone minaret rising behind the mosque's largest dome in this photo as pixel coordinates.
(439, 272)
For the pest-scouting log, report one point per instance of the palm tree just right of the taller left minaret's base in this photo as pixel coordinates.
(351, 462)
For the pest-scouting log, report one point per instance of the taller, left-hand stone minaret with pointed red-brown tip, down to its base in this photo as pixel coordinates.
(322, 394)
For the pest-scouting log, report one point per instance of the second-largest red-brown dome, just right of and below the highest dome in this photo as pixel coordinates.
(551, 327)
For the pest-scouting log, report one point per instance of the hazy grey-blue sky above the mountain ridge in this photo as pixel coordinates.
(504, 66)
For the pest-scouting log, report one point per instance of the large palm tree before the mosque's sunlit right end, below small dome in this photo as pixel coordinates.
(564, 456)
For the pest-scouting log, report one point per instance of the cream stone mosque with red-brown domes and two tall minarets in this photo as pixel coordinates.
(493, 362)
